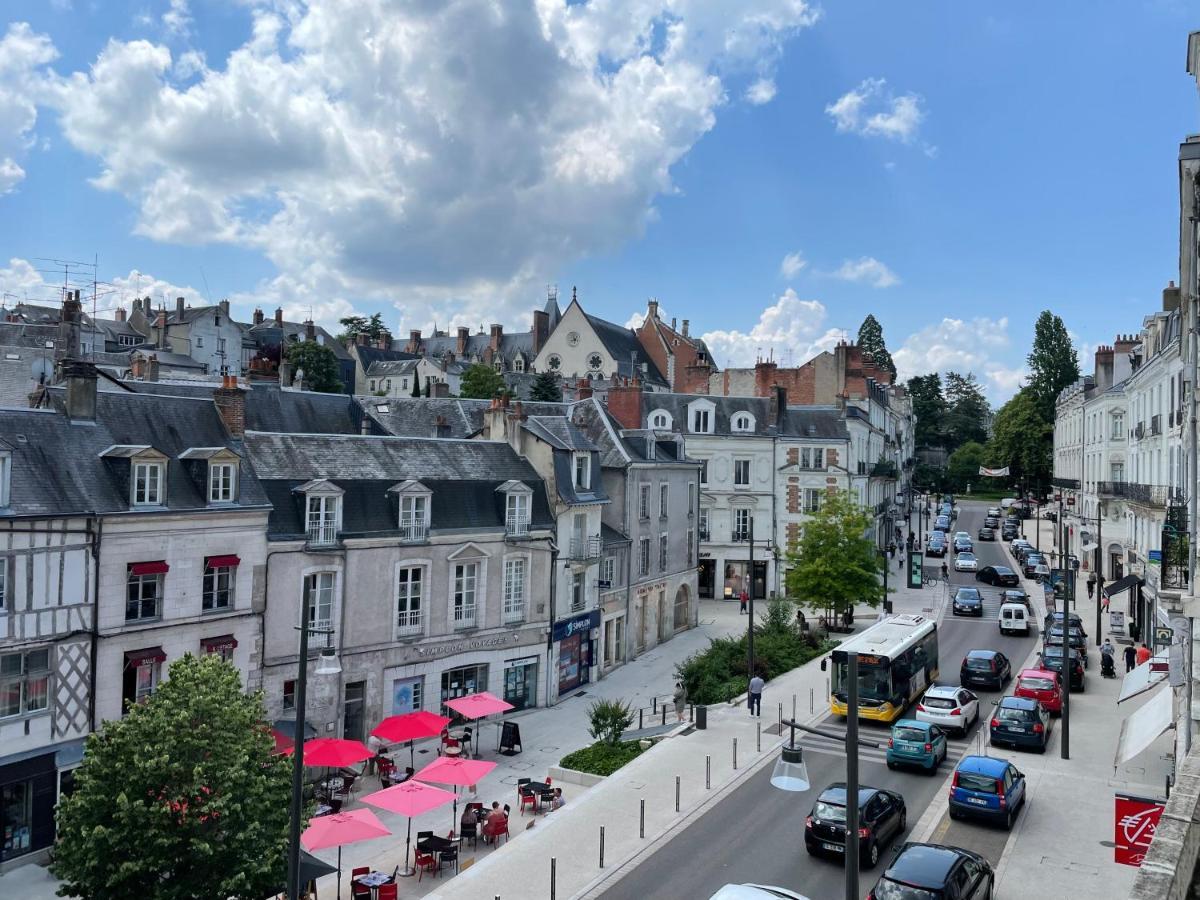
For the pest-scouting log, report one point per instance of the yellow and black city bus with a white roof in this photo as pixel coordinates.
(897, 662)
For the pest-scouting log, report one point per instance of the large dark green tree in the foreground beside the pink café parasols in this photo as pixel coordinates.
(183, 799)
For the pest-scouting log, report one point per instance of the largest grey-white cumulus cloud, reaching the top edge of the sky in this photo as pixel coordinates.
(428, 155)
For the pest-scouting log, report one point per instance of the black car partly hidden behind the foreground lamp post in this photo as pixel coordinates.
(883, 818)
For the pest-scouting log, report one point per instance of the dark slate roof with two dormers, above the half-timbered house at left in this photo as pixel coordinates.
(57, 469)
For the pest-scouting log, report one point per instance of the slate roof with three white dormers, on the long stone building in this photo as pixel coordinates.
(464, 477)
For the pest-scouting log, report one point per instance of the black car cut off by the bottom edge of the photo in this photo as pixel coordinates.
(933, 872)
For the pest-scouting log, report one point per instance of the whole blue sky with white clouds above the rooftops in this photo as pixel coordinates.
(952, 169)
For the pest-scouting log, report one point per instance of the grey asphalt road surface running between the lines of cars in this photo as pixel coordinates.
(757, 835)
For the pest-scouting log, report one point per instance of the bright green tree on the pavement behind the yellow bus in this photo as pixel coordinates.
(836, 563)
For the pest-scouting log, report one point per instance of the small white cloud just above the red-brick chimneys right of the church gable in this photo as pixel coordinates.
(791, 329)
